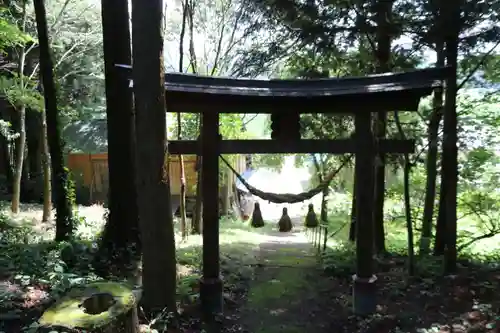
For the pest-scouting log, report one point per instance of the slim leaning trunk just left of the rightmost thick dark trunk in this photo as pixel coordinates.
(431, 163)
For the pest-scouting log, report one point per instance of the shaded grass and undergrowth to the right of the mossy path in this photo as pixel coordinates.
(428, 301)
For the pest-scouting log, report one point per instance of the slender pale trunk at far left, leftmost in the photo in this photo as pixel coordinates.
(21, 128)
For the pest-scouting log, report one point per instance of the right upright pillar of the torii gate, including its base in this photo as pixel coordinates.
(364, 289)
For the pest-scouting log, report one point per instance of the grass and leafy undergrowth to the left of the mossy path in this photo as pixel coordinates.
(30, 260)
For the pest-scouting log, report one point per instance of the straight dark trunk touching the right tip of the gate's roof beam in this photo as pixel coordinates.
(450, 151)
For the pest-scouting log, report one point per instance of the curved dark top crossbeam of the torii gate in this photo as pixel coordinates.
(380, 92)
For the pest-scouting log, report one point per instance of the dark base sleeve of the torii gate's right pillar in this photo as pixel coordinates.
(364, 294)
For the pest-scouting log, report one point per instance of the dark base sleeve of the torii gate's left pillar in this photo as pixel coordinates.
(211, 297)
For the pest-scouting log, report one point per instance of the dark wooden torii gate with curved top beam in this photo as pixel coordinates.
(286, 100)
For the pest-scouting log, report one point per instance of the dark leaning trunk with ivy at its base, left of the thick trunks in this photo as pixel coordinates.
(64, 213)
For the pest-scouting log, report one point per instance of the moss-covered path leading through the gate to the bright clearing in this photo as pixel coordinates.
(284, 295)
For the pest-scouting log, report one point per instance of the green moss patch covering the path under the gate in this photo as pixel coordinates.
(278, 297)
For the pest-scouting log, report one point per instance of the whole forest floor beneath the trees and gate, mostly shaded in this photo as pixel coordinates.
(273, 282)
